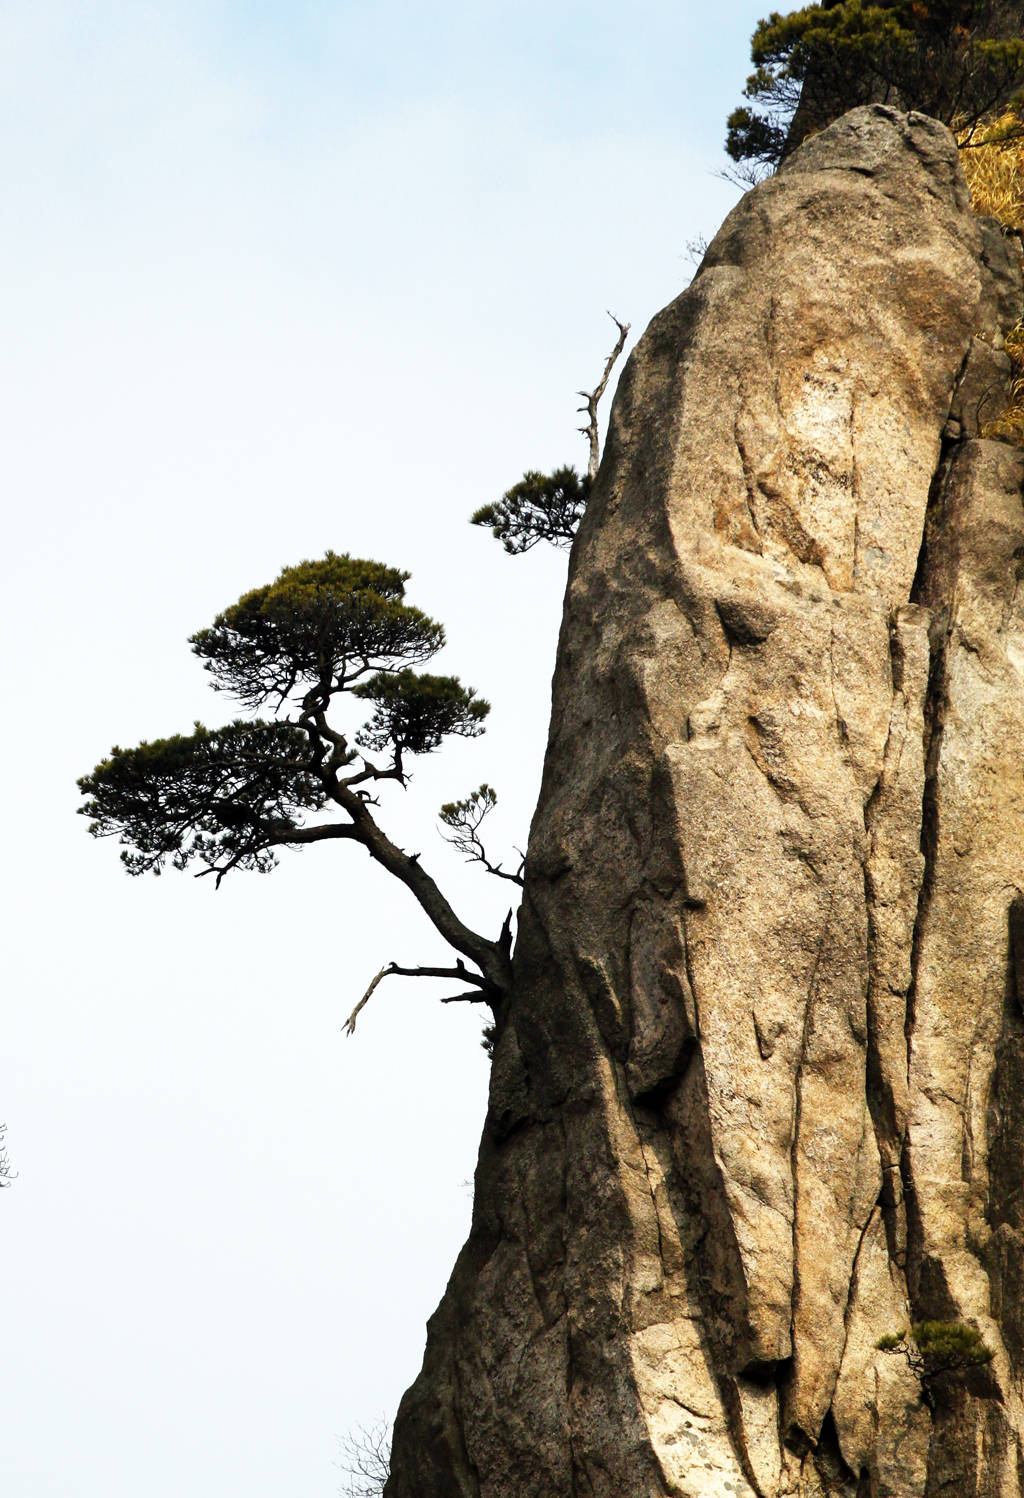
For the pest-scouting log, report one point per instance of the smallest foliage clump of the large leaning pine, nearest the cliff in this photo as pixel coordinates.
(415, 712)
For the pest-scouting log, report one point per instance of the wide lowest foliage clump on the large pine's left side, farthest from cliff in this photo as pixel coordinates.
(218, 796)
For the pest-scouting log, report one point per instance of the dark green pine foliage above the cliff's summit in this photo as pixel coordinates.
(957, 61)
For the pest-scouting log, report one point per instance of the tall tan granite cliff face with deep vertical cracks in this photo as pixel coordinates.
(760, 1097)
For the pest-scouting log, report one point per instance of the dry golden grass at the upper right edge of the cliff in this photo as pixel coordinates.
(995, 170)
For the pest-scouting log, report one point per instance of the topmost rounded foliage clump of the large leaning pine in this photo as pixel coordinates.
(320, 624)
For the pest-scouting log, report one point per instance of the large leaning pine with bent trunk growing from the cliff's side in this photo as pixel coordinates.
(231, 798)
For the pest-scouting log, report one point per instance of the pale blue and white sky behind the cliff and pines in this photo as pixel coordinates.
(279, 278)
